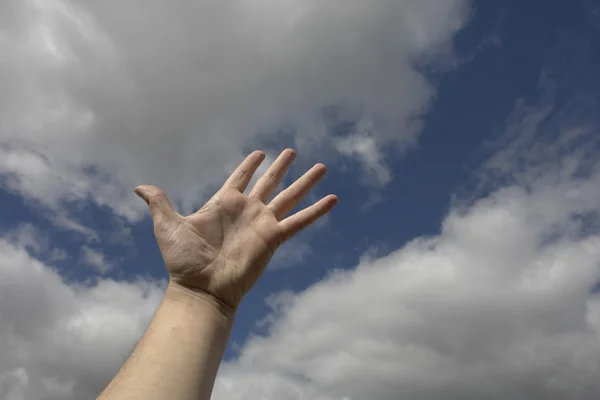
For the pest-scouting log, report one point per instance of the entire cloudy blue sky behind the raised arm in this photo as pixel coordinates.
(461, 137)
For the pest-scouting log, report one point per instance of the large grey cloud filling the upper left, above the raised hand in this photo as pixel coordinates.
(100, 96)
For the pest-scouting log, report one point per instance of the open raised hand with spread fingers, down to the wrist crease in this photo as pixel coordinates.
(221, 250)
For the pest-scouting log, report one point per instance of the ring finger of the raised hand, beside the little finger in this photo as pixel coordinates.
(288, 199)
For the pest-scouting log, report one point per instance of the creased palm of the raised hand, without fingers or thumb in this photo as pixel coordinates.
(205, 251)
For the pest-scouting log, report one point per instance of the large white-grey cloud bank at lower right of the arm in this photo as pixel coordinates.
(498, 305)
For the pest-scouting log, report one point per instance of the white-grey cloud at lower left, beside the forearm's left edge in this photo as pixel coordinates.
(62, 341)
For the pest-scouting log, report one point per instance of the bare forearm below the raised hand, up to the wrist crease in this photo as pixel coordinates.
(178, 355)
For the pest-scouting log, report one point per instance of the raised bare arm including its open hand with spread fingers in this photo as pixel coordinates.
(213, 257)
